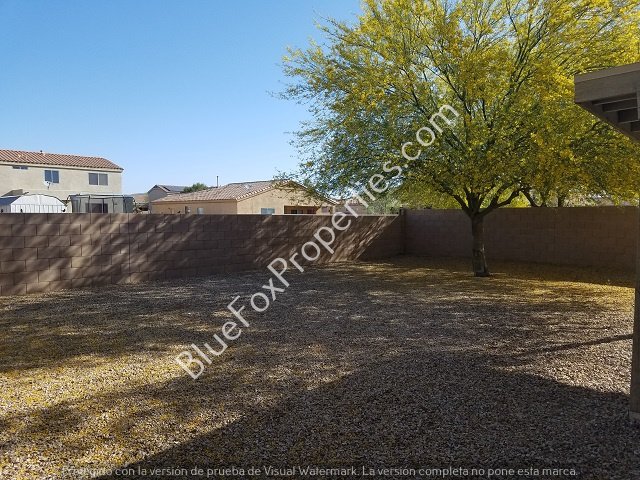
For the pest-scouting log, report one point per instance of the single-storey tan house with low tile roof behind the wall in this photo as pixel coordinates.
(262, 197)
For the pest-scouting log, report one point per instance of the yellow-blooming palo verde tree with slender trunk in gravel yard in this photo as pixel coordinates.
(506, 66)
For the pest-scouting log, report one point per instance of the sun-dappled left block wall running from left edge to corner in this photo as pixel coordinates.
(46, 252)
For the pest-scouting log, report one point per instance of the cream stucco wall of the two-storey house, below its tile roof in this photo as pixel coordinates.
(73, 180)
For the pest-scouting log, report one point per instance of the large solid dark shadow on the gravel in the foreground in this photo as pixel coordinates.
(429, 409)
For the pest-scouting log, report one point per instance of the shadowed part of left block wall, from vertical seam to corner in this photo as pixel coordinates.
(189, 246)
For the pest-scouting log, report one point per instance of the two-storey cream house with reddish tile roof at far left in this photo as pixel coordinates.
(57, 175)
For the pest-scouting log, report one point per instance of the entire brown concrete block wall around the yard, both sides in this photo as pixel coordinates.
(47, 252)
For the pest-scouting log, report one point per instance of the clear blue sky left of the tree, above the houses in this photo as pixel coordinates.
(173, 91)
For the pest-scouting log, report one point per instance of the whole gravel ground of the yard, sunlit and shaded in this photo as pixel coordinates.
(407, 363)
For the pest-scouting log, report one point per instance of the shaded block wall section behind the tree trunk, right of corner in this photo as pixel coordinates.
(584, 236)
